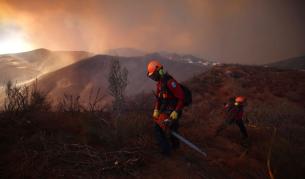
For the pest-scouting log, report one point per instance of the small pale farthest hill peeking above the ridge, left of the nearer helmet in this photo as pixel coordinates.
(125, 52)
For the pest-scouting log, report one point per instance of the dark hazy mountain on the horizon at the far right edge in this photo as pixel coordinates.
(292, 63)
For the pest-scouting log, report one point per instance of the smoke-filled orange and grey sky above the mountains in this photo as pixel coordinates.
(242, 31)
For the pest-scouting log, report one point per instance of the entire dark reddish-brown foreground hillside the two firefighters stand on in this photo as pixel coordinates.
(83, 145)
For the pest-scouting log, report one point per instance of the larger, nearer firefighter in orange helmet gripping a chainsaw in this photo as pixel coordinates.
(168, 106)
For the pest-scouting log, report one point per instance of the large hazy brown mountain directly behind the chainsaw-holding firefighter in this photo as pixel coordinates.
(79, 78)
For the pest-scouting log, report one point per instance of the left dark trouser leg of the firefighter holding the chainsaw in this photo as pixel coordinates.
(162, 139)
